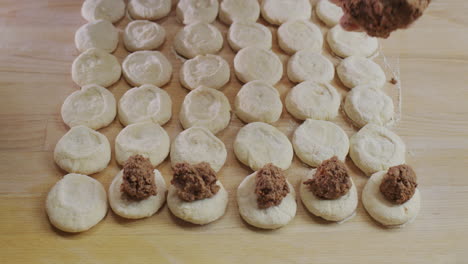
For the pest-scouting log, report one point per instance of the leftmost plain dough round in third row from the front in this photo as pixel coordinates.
(92, 106)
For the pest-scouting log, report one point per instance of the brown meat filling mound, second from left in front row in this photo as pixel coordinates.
(194, 182)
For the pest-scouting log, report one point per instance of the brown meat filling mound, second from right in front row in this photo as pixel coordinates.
(331, 180)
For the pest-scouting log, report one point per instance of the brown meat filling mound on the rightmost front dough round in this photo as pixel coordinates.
(399, 185)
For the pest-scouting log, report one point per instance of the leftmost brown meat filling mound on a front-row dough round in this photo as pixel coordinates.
(138, 178)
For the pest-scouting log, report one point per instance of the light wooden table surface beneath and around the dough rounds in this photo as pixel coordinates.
(36, 52)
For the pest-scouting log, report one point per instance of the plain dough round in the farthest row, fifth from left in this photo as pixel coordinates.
(277, 12)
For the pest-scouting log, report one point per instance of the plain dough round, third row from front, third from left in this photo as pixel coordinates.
(205, 107)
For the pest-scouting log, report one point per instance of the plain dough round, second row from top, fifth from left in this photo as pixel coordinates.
(296, 35)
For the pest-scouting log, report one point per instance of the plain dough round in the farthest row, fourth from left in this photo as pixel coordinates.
(232, 11)
